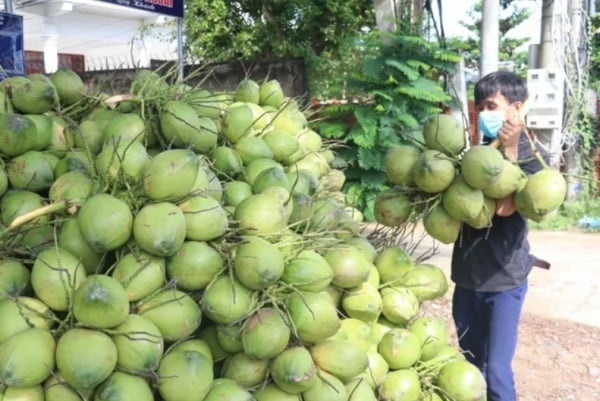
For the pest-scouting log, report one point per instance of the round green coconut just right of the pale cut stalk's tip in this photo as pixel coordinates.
(105, 222)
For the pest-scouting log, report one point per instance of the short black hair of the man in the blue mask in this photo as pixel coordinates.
(509, 84)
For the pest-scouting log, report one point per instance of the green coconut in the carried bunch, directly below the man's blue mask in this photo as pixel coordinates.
(481, 166)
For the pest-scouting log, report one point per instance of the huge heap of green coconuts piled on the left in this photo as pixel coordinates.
(176, 244)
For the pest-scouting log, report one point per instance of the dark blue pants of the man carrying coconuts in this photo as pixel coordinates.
(487, 325)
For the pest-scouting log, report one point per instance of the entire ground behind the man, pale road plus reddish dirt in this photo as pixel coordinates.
(558, 355)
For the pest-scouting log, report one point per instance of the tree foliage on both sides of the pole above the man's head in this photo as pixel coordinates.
(509, 47)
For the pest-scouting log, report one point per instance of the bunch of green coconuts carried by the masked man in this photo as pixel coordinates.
(446, 184)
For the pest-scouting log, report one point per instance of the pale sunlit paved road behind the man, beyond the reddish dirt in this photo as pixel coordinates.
(570, 290)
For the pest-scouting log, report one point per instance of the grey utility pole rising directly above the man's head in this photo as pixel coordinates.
(490, 36)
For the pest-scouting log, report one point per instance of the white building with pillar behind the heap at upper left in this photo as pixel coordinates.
(92, 34)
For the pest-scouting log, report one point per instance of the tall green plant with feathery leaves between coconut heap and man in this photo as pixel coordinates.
(401, 78)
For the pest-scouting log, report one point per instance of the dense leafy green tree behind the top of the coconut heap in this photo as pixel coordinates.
(224, 30)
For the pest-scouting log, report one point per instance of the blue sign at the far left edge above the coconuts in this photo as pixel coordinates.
(12, 58)
